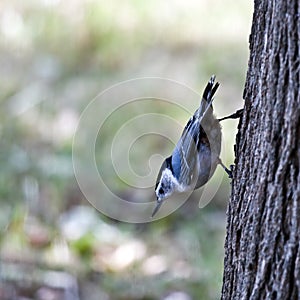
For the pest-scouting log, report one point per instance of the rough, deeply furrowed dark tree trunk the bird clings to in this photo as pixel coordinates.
(262, 248)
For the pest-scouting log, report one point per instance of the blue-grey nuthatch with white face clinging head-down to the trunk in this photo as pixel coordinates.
(196, 154)
